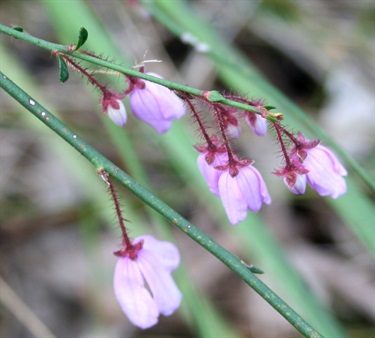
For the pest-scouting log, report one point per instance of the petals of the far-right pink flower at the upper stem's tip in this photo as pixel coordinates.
(325, 172)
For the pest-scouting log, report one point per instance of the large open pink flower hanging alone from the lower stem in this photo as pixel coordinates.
(143, 283)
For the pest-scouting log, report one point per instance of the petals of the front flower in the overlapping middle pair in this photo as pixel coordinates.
(244, 191)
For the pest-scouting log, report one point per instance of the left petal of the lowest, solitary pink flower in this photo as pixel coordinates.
(134, 299)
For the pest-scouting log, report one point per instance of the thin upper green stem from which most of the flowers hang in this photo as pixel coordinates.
(53, 47)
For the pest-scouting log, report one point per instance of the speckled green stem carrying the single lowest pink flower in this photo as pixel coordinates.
(100, 162)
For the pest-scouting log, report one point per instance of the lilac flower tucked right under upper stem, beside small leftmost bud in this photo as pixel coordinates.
(156, 105)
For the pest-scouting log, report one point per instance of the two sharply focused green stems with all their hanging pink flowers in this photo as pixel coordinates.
(234, 180)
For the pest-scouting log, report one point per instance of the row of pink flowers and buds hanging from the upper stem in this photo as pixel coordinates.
(237, 182)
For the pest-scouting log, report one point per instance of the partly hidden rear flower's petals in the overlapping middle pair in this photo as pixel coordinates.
(210, 174)
